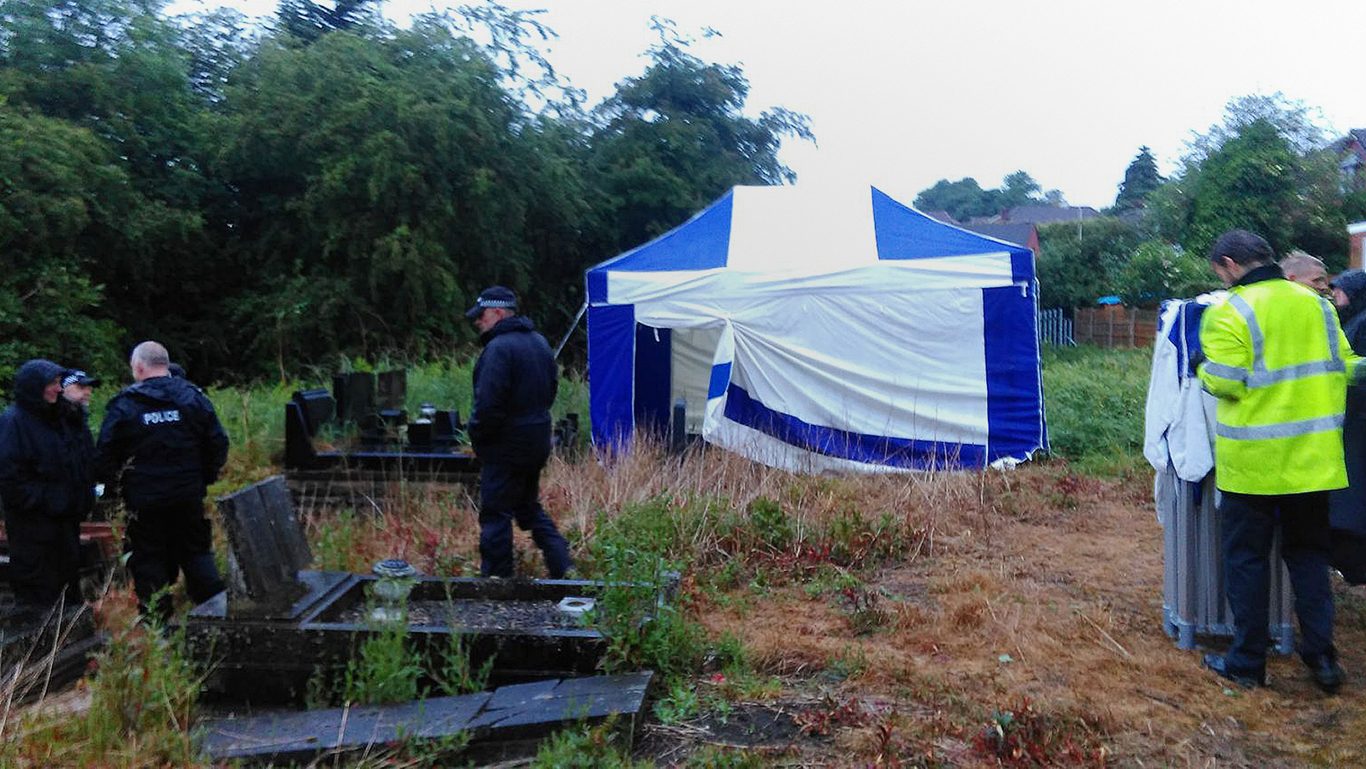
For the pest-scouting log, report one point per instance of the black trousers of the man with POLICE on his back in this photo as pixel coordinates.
(165, 542)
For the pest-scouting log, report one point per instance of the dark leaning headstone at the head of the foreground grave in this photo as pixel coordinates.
(268, 550)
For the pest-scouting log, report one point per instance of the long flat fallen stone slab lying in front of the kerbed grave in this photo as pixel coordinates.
(506, 722)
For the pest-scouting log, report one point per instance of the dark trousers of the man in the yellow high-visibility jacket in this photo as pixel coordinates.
(1251, 522)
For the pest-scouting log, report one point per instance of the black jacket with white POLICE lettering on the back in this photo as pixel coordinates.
(162, 443)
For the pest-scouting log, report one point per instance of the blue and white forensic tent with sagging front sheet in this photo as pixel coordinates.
(818, 331)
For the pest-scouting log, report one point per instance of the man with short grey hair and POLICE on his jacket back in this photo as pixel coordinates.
(163, 445)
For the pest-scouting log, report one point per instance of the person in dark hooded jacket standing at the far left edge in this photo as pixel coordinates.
(47, 484)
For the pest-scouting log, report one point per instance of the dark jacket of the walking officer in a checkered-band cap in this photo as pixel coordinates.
(516, 380)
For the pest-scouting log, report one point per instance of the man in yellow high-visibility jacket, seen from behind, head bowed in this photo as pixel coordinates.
(1278, 361)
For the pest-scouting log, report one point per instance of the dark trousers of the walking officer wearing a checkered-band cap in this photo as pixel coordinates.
(507, 494)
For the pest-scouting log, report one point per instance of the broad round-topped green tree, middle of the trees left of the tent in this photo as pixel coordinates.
(383, 182)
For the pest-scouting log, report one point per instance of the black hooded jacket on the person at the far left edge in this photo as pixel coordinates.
(47, 457)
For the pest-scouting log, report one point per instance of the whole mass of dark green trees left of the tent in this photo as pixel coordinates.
(266, 199)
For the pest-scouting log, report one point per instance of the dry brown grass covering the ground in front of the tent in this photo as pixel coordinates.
(1035, 592)
